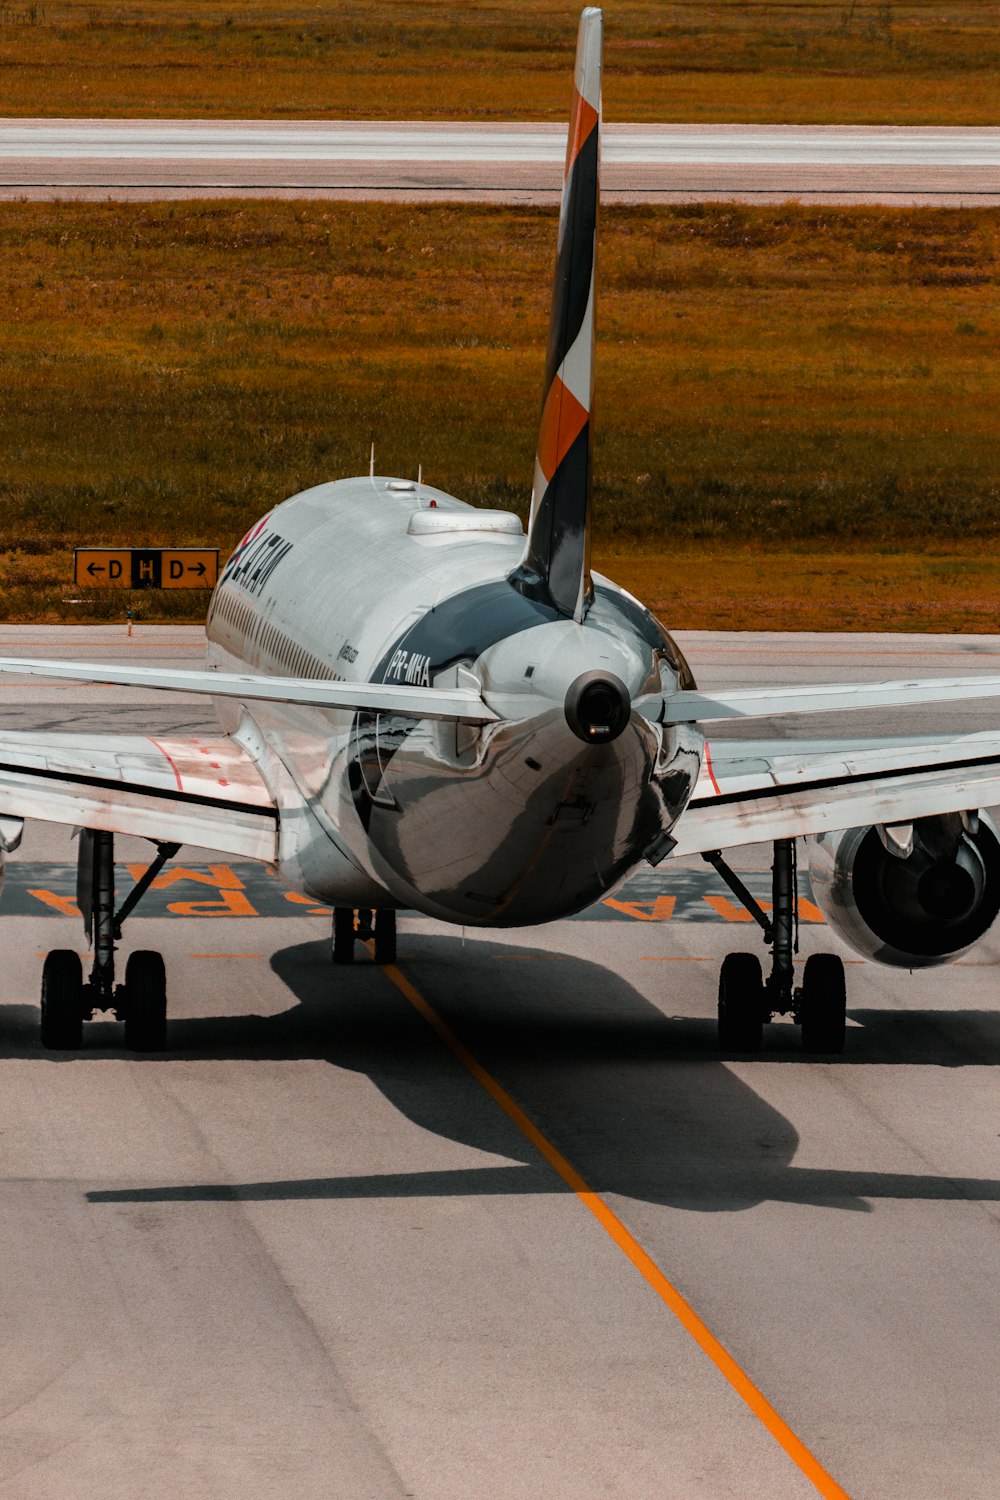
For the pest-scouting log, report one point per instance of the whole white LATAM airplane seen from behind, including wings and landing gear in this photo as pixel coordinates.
(427, 707)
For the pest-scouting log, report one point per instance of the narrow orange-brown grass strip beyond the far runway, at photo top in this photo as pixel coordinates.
(912, 62)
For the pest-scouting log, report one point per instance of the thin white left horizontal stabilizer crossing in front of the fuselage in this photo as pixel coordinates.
(422, 703)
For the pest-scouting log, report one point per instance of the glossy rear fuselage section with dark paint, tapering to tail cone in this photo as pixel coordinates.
(545, 812)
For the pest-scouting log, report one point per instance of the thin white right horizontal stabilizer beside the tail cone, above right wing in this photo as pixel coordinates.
(824, 698)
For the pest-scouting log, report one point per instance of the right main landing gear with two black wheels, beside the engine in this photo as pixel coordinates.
(747, 1001)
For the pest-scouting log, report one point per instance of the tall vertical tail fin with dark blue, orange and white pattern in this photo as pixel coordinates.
(557, 562)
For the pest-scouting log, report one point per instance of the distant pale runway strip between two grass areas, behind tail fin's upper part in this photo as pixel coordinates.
(496, 163)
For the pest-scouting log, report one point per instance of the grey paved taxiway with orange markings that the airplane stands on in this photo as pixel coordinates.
(308, 1252)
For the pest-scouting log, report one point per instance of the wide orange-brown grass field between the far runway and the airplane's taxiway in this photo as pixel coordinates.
(768, 379)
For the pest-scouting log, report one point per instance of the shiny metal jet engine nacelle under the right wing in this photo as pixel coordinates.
(909, 896)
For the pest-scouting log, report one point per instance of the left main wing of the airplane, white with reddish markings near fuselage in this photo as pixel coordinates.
(194, 791)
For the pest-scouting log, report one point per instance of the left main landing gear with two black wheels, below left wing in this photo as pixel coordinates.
(142, 1001)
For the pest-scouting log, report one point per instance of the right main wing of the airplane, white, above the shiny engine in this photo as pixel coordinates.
(759, 791)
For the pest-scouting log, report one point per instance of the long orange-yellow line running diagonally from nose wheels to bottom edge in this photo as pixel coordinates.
(630, 1247)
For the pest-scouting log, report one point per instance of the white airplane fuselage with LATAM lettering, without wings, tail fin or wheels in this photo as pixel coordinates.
(506, 824)
